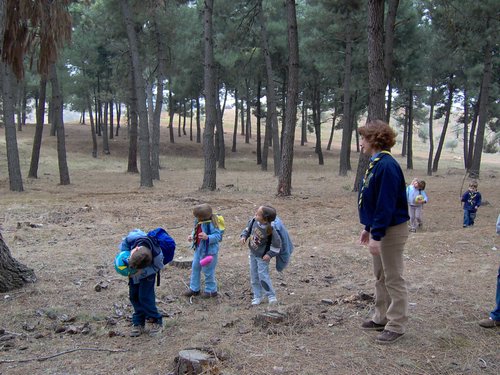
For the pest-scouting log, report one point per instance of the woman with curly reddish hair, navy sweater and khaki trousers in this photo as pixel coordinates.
(383, 210)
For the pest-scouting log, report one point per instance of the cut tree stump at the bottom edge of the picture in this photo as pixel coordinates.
(196, 361)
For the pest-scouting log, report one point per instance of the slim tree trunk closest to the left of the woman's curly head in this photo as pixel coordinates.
(345, 149)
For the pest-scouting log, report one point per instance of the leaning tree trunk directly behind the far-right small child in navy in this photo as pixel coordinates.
(483, 114)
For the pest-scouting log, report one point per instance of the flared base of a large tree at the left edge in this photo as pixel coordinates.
(13, 274)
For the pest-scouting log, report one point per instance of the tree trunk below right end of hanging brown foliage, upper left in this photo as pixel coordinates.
(57, 108)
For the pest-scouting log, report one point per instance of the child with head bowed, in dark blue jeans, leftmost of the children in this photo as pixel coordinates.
(142, 284)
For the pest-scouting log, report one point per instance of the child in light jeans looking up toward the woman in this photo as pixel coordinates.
(264, 243)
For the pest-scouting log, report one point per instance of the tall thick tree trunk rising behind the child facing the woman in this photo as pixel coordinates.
(285, 175)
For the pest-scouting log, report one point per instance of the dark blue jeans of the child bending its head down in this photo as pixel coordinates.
(142, 297)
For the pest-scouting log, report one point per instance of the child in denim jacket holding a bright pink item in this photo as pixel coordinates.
(206, 236)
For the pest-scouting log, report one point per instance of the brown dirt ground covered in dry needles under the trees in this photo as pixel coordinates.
(70, 234)
